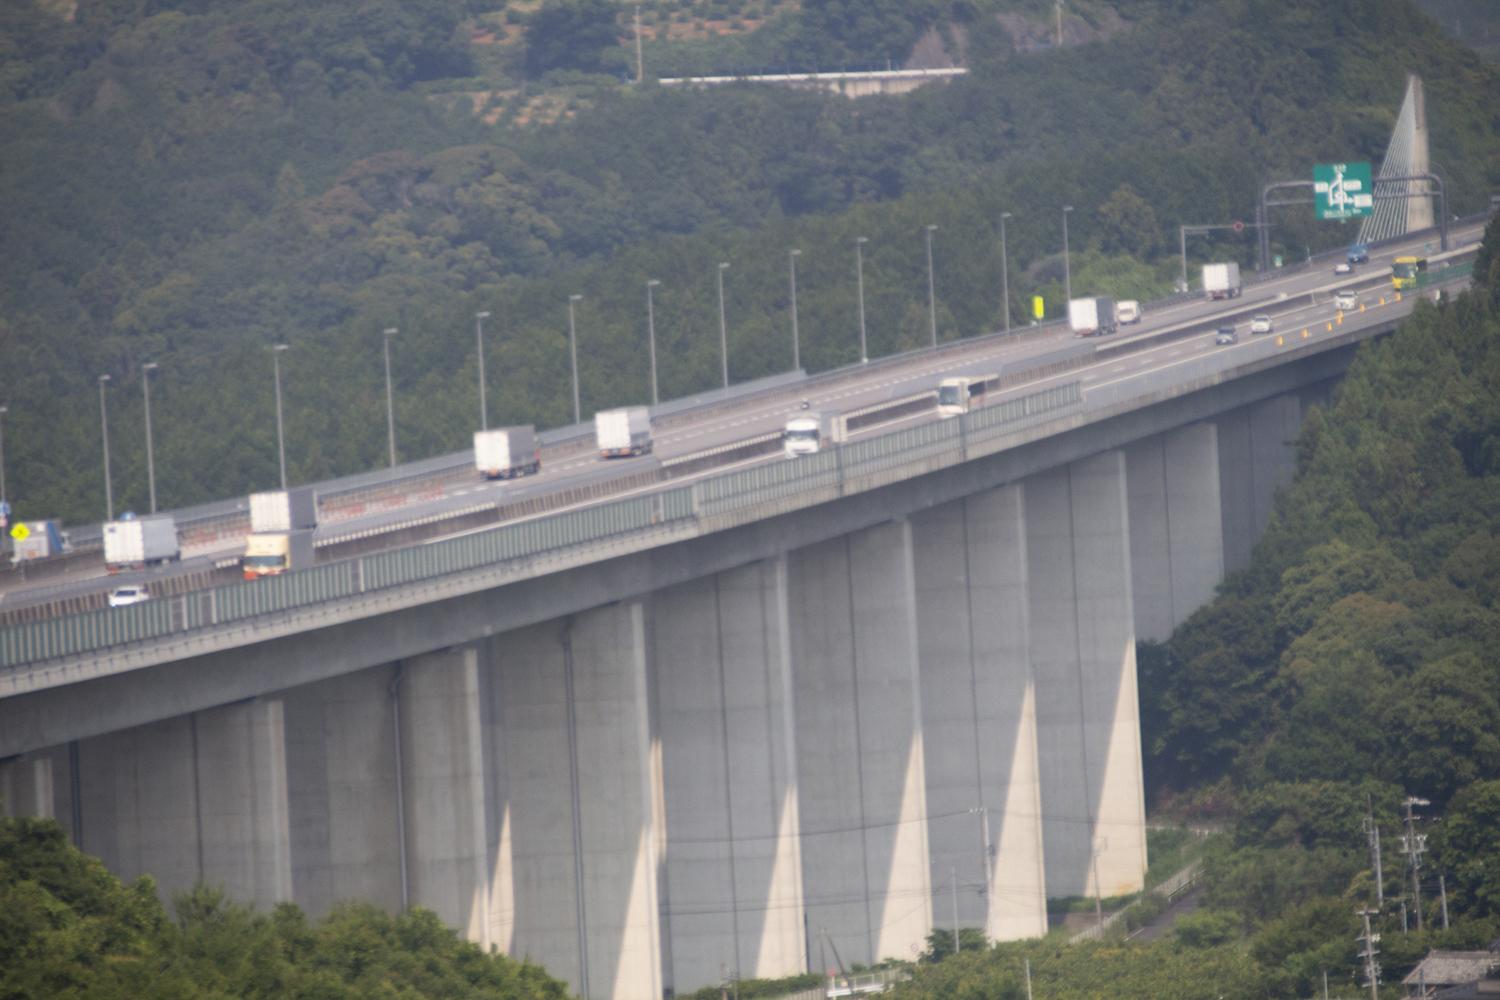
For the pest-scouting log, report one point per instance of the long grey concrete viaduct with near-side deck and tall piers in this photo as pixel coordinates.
(691, 731)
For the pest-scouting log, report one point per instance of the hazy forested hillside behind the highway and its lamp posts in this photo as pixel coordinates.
(188, 184)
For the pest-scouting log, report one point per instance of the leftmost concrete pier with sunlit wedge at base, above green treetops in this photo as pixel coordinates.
(443, 789)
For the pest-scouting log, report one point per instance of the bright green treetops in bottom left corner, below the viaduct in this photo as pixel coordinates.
(70, 929)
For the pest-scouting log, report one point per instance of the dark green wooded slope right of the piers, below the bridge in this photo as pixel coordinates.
(1357, 663)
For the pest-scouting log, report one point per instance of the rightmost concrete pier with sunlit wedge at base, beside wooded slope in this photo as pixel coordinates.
(1084, 656)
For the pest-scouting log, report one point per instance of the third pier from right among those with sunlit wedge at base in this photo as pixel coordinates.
(862, 780)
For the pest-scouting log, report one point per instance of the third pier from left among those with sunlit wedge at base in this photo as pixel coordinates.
(733, 887)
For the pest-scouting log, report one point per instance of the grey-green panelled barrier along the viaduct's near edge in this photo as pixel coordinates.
(812, 479)
